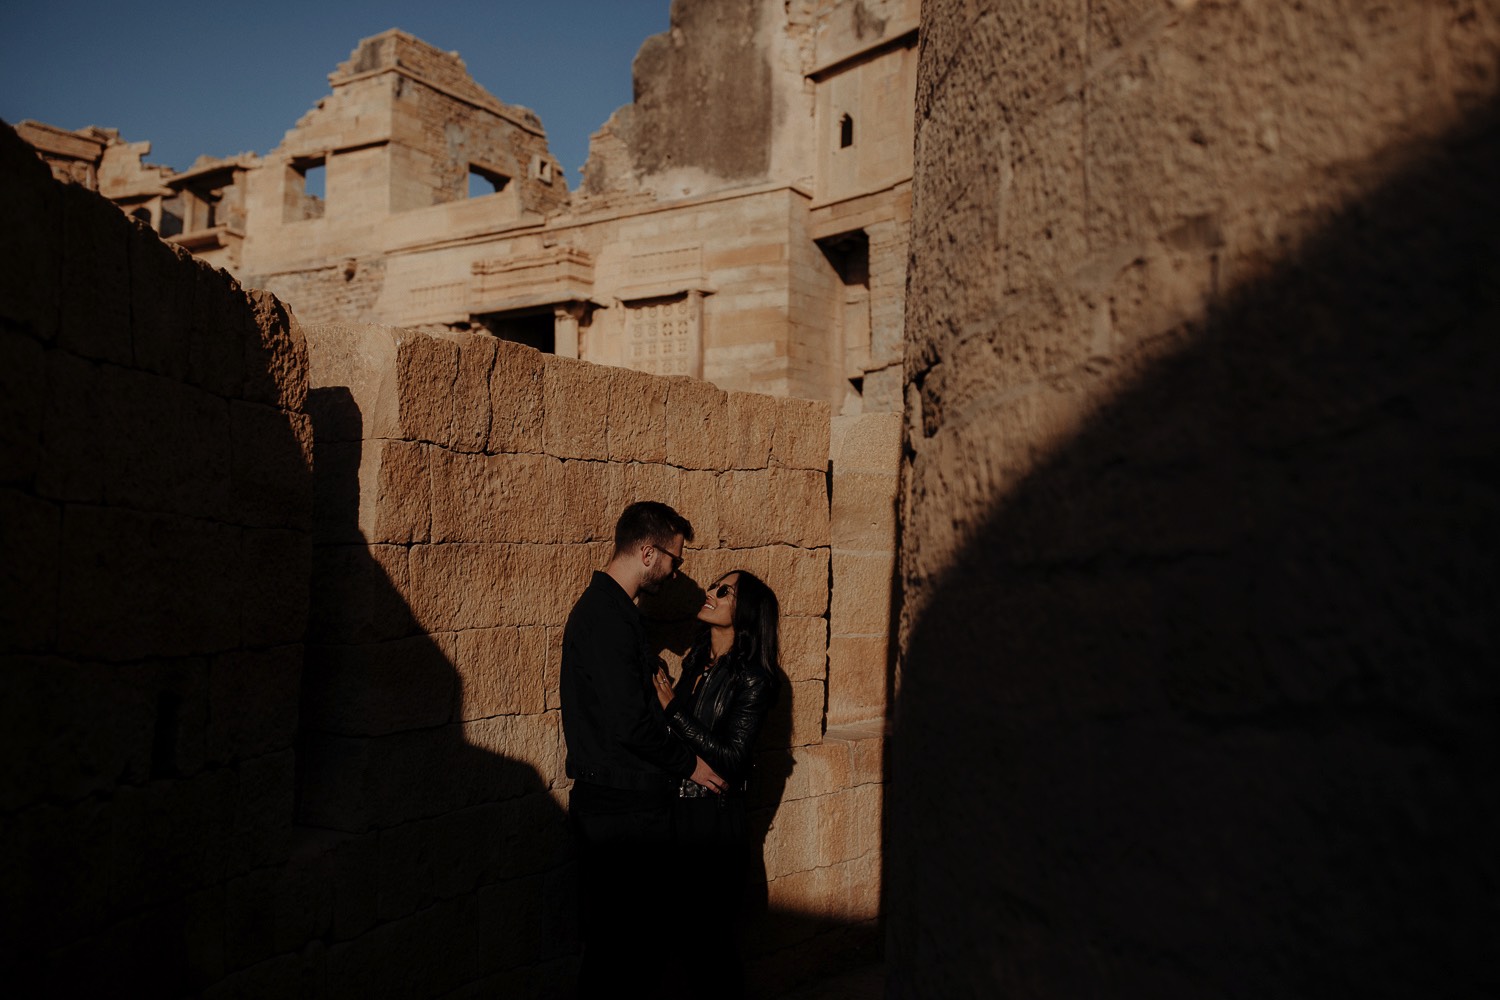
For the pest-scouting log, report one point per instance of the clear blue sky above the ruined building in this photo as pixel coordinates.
(196, 79)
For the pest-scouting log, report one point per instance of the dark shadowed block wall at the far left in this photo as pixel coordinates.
(155, 543)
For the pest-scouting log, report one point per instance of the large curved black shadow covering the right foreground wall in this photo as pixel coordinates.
(1208, 705)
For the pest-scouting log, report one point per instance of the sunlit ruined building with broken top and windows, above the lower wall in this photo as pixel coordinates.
(743, 221)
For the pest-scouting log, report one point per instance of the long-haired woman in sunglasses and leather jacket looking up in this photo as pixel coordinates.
(728, 686)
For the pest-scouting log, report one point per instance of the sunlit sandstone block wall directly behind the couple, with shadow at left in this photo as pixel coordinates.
(467, 490)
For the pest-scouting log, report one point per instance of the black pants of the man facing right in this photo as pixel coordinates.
(625, 846)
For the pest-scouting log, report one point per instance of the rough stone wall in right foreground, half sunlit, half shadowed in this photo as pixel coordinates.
(1199, 537)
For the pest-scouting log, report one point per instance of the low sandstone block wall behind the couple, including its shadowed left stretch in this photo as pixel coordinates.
(281, 618)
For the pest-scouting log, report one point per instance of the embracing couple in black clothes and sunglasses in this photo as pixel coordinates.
(659, 771)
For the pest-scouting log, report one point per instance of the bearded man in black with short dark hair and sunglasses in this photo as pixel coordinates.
(623, 759)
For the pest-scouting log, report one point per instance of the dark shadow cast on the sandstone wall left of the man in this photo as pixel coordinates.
(457, 858)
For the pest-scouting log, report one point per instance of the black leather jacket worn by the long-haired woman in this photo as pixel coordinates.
(722, 720)
